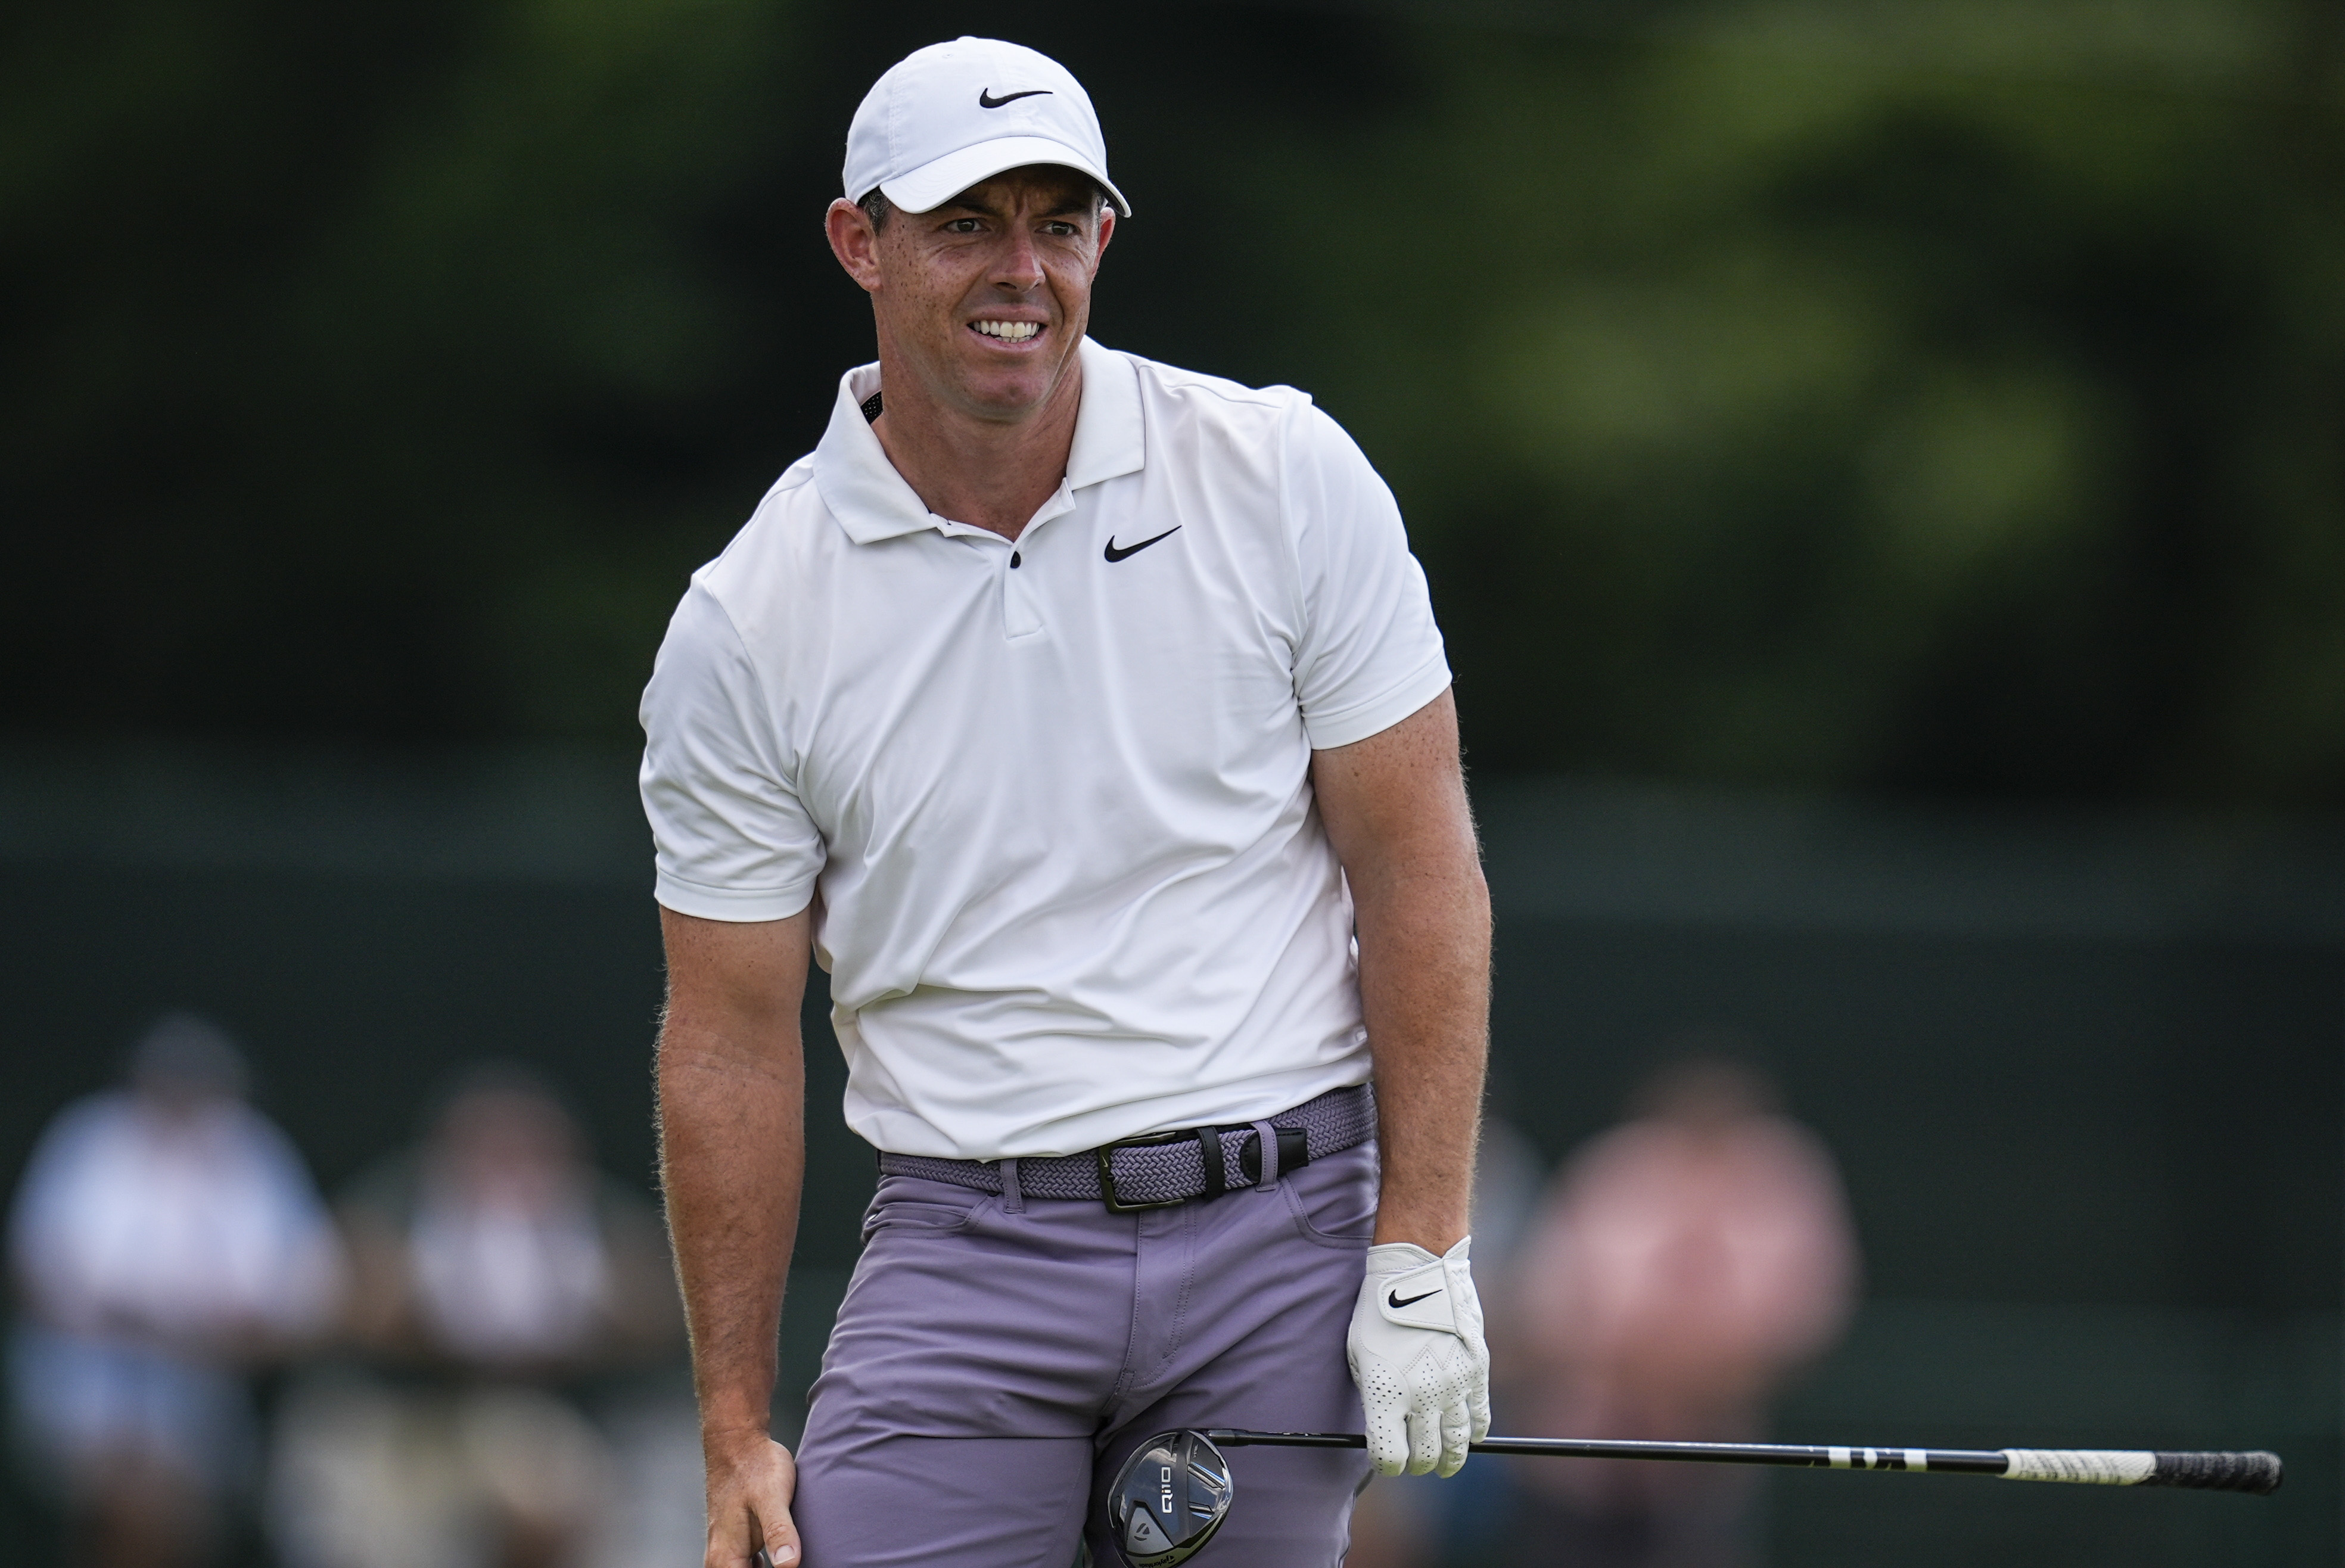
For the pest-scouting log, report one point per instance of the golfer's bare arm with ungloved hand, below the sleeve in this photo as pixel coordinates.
(733, 1154)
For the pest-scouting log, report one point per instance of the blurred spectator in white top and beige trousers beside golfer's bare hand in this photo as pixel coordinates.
(498, 1276)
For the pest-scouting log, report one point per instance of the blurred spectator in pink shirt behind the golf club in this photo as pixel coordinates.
(1683, 1267)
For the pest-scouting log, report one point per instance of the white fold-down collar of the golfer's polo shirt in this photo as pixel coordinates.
(874, 503)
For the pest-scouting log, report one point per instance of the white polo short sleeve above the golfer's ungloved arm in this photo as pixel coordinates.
(733, 838)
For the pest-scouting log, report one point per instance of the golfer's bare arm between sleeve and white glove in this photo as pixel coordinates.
(1396, 814)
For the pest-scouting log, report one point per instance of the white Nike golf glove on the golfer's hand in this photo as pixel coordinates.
(1420, 1361)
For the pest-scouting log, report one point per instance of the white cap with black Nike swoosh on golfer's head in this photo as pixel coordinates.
(951, 116)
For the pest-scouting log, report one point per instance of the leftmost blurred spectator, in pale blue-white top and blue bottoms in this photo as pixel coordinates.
(165, 1241)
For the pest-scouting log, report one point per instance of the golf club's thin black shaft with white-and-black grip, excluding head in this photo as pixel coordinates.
(2252, 1473)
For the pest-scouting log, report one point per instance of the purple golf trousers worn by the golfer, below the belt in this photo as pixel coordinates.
(998, 1361)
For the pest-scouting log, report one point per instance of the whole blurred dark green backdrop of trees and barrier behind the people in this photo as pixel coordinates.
(1882, 472)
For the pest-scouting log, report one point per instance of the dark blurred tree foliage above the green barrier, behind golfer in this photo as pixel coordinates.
(1915, 397)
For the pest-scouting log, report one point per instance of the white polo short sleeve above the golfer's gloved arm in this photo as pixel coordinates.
(1371, 653)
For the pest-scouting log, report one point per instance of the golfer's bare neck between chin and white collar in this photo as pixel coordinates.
(991, 475)
